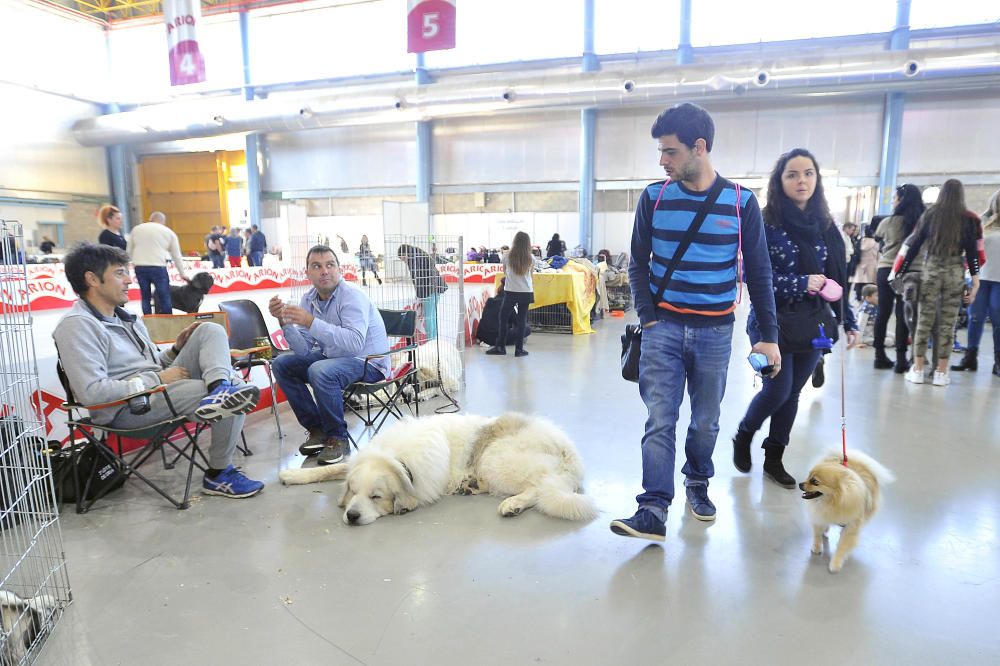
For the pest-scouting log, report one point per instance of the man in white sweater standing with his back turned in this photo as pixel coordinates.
(149, 245)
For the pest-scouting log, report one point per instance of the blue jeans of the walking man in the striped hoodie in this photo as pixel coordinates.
(673, 354)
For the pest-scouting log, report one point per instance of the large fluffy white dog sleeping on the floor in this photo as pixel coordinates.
(523, 458)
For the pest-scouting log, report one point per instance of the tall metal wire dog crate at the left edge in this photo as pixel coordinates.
(34, 588)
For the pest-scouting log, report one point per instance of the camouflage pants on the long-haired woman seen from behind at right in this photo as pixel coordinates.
(941, 287)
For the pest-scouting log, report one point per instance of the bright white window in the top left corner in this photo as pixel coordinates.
(51, 51)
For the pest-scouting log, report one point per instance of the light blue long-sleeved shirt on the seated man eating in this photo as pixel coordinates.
(346, 325)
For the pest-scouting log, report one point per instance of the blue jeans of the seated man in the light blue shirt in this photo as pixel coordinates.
(328, 378)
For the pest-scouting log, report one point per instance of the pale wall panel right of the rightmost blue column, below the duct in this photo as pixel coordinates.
(951, 135)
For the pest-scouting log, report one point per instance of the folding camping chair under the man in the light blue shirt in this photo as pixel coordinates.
(384, 396)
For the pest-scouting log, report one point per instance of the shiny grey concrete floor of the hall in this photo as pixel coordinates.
(279, 579)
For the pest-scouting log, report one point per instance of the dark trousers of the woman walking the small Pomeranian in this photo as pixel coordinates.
(779, 398)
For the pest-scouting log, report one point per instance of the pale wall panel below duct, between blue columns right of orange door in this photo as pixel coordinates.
(341, 158)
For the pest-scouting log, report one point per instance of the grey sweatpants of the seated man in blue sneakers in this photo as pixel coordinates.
(206, 358)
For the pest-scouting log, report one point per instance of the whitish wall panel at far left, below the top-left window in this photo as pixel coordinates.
(37, 151)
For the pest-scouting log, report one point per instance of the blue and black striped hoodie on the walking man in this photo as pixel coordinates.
(705, 279)
